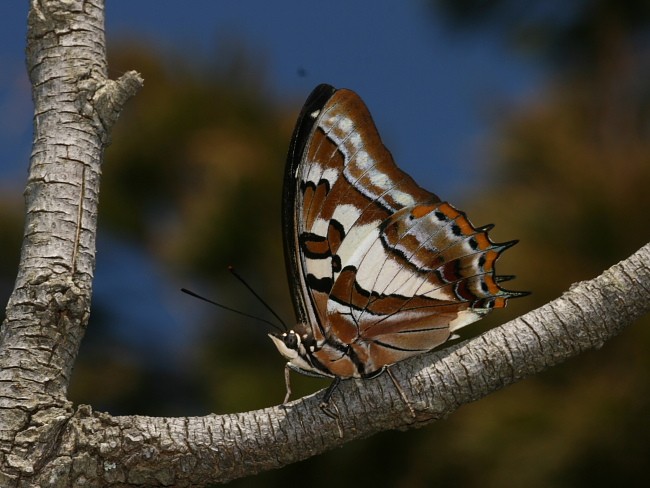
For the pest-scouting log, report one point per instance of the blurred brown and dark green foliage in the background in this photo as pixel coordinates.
(193, 180)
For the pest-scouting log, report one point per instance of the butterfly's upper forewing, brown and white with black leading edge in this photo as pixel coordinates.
(332, 156)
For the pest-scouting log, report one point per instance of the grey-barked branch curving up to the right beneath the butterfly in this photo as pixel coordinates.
(200, 450)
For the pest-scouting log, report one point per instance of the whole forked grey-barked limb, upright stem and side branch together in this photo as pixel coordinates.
(44, 441)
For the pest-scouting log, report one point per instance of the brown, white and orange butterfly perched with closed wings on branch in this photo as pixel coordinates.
(380, 269)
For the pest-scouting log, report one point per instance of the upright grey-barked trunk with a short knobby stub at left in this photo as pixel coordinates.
(75, 107)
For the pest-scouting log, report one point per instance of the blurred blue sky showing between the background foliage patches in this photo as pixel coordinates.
(427, 88)
